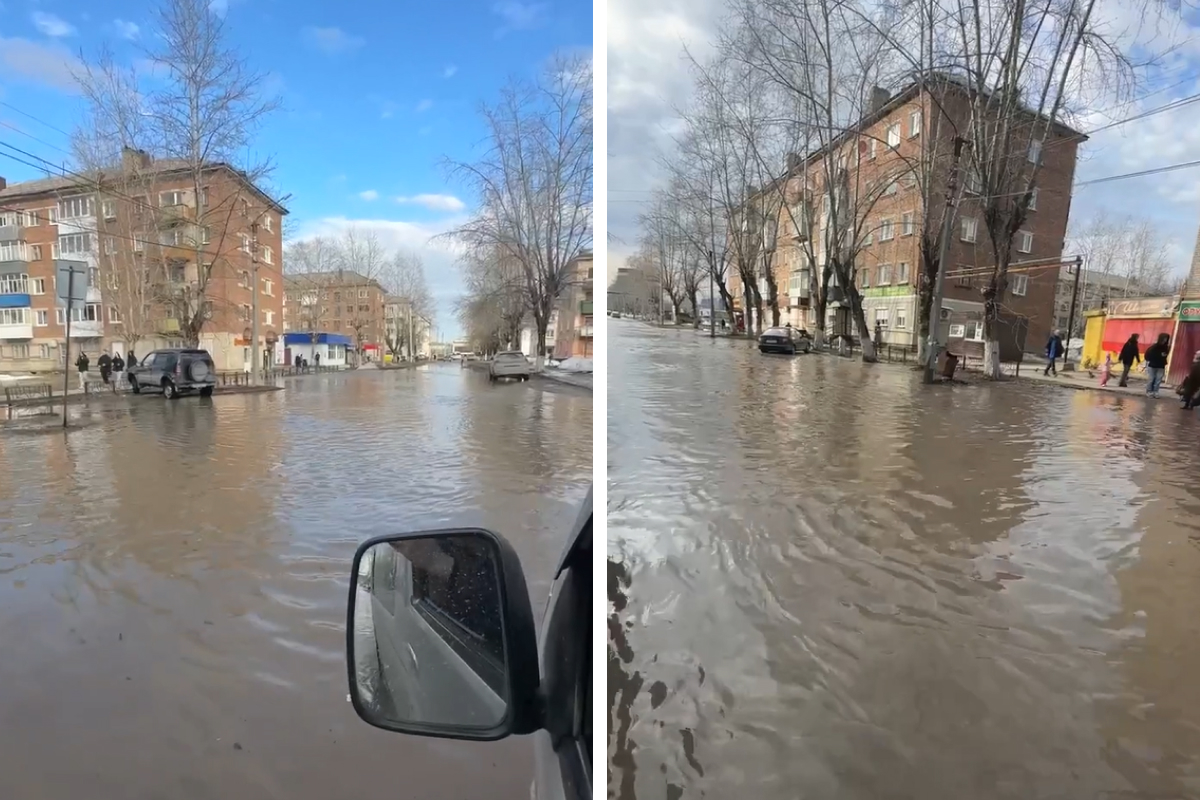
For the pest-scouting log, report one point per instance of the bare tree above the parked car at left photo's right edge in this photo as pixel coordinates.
(536, 183)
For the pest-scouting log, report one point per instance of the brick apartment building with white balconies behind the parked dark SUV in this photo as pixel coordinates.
(137, 232)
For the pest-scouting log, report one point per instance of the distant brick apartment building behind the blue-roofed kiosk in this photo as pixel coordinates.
(339, 302)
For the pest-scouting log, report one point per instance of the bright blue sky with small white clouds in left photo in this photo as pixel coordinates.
(375, 97)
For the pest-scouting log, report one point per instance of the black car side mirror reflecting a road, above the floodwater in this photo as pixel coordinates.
(441, 639)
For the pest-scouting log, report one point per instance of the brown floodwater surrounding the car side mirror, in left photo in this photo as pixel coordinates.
(173, 581)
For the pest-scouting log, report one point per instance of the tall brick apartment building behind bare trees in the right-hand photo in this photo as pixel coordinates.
(901, 131)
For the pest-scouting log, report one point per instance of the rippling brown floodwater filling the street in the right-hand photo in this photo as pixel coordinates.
(829, 581)
